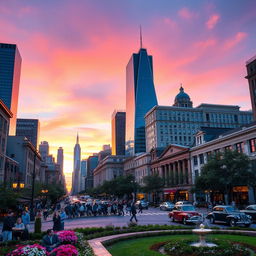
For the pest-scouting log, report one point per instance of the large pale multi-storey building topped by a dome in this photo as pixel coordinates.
(177, 124)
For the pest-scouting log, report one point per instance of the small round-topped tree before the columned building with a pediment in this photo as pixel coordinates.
(153, 183)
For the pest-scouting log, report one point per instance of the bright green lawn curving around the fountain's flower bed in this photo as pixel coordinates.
(140, 246)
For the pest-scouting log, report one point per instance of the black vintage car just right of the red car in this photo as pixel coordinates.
(229, 215)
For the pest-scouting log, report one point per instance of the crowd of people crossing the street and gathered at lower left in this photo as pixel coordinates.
(16, 226)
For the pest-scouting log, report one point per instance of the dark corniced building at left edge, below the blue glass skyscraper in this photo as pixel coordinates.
(5, 115)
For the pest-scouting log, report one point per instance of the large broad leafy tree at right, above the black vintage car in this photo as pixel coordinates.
(224, 171)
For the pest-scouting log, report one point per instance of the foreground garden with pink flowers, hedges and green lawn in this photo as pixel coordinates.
(170, 240)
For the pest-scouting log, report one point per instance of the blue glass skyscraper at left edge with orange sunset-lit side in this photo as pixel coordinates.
(10, 66)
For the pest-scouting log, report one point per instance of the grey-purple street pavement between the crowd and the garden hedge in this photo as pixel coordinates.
(150, 216)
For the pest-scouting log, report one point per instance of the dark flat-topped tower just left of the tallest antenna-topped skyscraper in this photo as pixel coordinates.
(118, 133)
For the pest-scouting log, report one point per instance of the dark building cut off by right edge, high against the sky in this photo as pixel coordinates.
(251, 76)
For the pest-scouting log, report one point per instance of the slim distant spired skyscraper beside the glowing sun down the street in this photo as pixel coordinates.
(77, 167)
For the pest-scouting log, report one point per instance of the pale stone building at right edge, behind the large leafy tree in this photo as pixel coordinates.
(242, 139)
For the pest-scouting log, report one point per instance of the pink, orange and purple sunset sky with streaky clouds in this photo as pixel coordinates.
(74, 56)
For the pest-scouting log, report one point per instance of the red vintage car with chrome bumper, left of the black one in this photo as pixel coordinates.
(186, 214)
